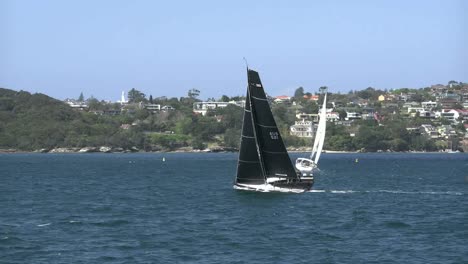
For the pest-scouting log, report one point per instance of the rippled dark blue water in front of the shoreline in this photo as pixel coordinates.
(135, 208)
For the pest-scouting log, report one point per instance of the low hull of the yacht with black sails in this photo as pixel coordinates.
(300, 186)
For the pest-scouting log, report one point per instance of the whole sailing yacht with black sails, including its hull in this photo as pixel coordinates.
(264, 164)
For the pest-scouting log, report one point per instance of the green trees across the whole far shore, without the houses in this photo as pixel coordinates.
(36, 121)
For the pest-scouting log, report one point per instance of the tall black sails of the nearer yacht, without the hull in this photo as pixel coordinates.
(262, 152)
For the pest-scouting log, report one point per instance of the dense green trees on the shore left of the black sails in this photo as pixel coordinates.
(36, 121)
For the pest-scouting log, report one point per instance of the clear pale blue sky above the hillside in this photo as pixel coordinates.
(165, 48)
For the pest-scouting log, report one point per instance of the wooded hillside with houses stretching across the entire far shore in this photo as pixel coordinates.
(368, 120)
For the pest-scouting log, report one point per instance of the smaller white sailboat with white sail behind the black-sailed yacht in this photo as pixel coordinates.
(307, 165)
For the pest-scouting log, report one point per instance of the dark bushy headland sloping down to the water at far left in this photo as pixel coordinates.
(35, 121)
